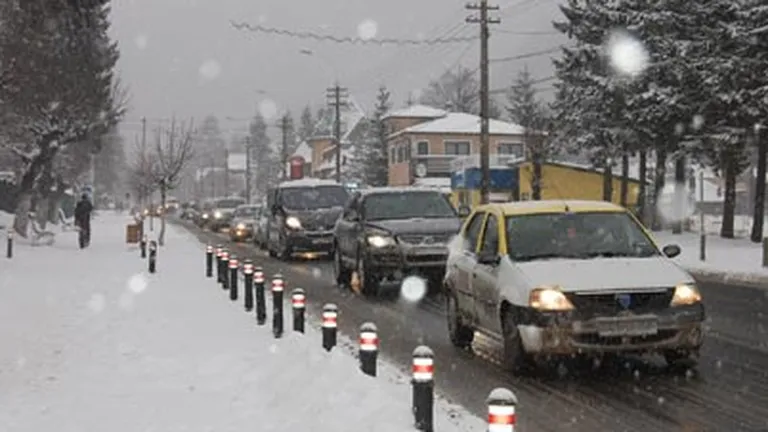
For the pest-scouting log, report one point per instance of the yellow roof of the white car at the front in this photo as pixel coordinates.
(552, 206)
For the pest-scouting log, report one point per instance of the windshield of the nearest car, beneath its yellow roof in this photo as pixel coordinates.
(576, 235)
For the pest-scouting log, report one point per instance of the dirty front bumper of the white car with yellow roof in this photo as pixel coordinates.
(675, 328)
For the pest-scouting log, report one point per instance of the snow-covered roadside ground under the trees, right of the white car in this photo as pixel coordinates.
(727, 260)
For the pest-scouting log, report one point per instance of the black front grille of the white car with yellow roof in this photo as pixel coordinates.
(590, 305)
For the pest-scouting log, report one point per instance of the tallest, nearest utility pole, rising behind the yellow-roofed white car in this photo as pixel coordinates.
(484, 20)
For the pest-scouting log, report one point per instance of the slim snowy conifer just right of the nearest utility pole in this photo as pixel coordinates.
(526, 110)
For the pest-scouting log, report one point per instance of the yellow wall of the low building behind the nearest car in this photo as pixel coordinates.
(560, 182)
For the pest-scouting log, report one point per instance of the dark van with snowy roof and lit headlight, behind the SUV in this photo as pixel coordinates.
(303, 215)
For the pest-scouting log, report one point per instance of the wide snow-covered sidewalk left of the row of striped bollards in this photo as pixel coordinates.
(90, 342)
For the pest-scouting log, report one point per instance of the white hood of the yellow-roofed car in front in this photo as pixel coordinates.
(604, 273)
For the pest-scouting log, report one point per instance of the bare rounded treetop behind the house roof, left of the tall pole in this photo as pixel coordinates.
(455, 90)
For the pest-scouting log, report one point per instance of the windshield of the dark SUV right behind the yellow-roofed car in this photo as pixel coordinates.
(407, 205)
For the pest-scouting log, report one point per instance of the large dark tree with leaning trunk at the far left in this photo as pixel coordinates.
(57, 85)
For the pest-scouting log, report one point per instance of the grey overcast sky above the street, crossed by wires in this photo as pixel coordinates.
(183, 58)
